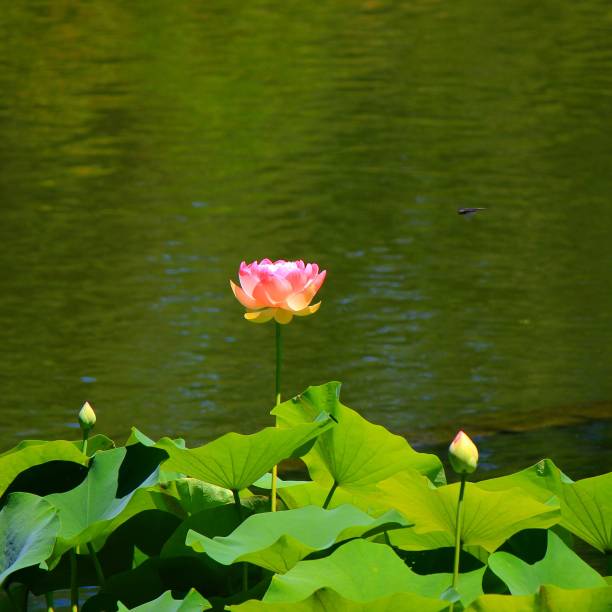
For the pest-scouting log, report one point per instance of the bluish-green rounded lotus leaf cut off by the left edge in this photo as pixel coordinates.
(28, 528)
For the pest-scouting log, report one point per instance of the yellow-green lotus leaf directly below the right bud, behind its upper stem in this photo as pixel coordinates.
(490, 517)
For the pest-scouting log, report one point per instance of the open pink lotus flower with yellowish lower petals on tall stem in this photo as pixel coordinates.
(278, 290)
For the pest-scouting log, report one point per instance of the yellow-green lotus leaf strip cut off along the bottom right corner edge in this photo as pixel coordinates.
(549, 599)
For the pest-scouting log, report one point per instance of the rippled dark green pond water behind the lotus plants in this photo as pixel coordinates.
(148, 147)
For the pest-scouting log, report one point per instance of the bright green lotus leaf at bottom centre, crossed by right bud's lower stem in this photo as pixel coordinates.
(363, 571)
